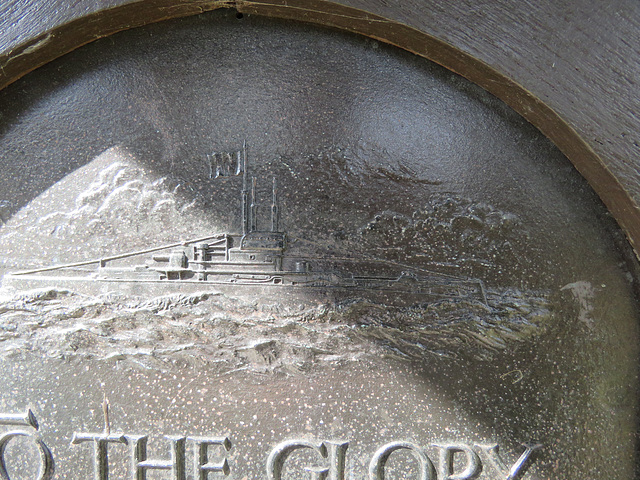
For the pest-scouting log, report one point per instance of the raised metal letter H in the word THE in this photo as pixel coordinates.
(140, 463)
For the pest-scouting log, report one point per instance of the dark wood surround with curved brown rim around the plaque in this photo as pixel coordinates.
(585, 104)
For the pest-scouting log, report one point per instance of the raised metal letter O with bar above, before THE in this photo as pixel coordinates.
(26, 419)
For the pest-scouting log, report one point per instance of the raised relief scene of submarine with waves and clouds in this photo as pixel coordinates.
(407, 283)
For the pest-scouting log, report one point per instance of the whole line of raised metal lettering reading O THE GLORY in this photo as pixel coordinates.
(457, 461)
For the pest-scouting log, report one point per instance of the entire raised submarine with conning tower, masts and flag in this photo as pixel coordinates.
(254, 262)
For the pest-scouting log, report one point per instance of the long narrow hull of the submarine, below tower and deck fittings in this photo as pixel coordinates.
(264, 287)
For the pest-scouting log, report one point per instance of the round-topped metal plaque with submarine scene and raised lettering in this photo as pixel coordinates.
(240, 248)
